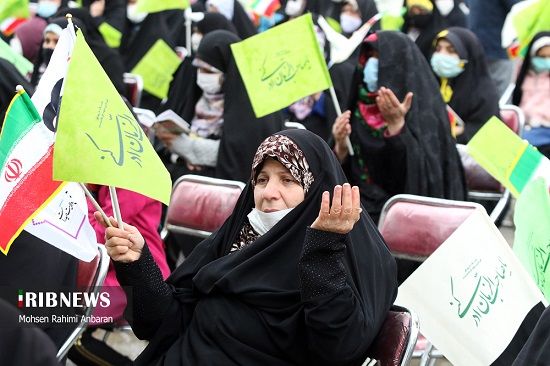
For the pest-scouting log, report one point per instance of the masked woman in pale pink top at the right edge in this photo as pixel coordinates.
(531, 92)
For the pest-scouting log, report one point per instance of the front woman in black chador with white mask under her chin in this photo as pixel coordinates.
(289, 279)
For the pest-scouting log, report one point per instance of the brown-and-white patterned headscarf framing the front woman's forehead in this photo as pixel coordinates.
(286, 152)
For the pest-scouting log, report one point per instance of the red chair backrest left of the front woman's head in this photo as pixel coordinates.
(200, 205)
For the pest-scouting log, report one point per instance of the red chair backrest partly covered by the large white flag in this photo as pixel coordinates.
(415, 226)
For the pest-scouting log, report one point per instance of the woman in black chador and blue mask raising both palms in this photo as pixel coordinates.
(399, 147)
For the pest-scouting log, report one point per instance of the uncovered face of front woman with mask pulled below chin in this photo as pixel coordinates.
(276, 189)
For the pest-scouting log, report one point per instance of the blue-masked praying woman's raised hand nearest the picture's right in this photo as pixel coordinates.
(392, 110)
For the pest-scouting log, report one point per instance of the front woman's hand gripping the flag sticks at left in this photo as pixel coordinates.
(122, 245)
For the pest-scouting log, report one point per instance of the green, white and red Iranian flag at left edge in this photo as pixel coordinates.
(26, 157)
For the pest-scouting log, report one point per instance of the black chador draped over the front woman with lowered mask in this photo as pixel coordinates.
(295, 296)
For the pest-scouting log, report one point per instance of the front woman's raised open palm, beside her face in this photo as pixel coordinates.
(341, 216)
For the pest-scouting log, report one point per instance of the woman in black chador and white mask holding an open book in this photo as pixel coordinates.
(225, 131)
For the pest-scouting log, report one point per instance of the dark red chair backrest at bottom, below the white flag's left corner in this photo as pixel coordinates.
(394, 344)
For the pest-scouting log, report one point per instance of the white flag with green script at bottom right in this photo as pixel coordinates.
(472, 294)
